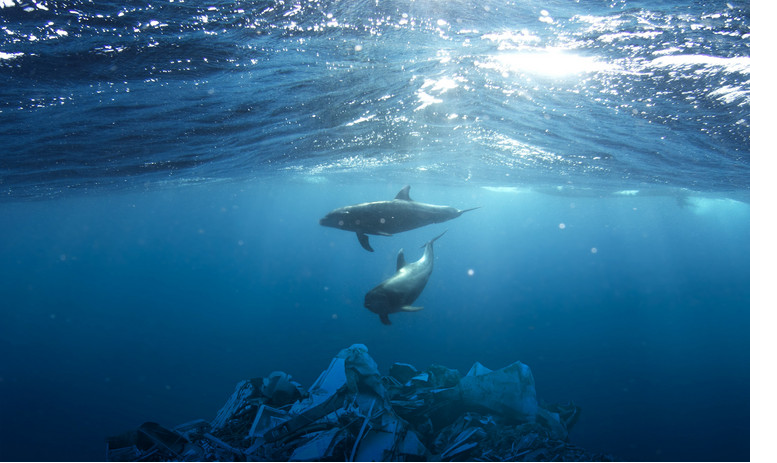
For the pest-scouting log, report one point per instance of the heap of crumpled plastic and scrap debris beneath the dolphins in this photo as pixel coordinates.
(353, 413)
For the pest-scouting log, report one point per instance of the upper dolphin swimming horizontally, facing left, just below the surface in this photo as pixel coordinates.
(388, 217)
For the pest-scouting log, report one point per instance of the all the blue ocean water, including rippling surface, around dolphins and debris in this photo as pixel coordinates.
(163, 166)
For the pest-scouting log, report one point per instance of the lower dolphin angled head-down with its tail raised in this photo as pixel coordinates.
(400, 290)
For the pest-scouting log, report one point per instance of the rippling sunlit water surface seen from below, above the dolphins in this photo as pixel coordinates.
(609, 95)
